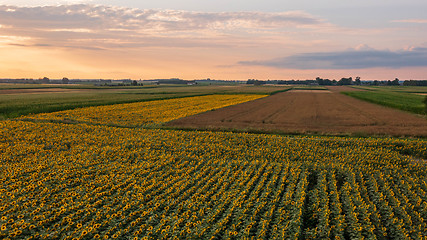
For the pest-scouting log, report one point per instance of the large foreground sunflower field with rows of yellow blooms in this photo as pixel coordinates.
(78, 181)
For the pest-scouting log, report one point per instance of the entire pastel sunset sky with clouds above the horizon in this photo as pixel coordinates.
(221, 39)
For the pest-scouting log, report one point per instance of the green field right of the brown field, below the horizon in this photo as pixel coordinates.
(403, 98)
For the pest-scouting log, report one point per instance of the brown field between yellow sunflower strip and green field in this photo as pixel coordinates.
(310, 112)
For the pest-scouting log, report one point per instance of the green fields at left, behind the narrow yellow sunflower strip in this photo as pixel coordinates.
(19, 104)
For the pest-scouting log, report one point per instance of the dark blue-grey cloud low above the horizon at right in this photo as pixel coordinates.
(350, 59)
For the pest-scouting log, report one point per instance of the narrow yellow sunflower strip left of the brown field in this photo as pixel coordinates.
(146, 113)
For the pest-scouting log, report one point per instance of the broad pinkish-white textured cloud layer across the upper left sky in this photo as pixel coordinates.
(108, 26)
